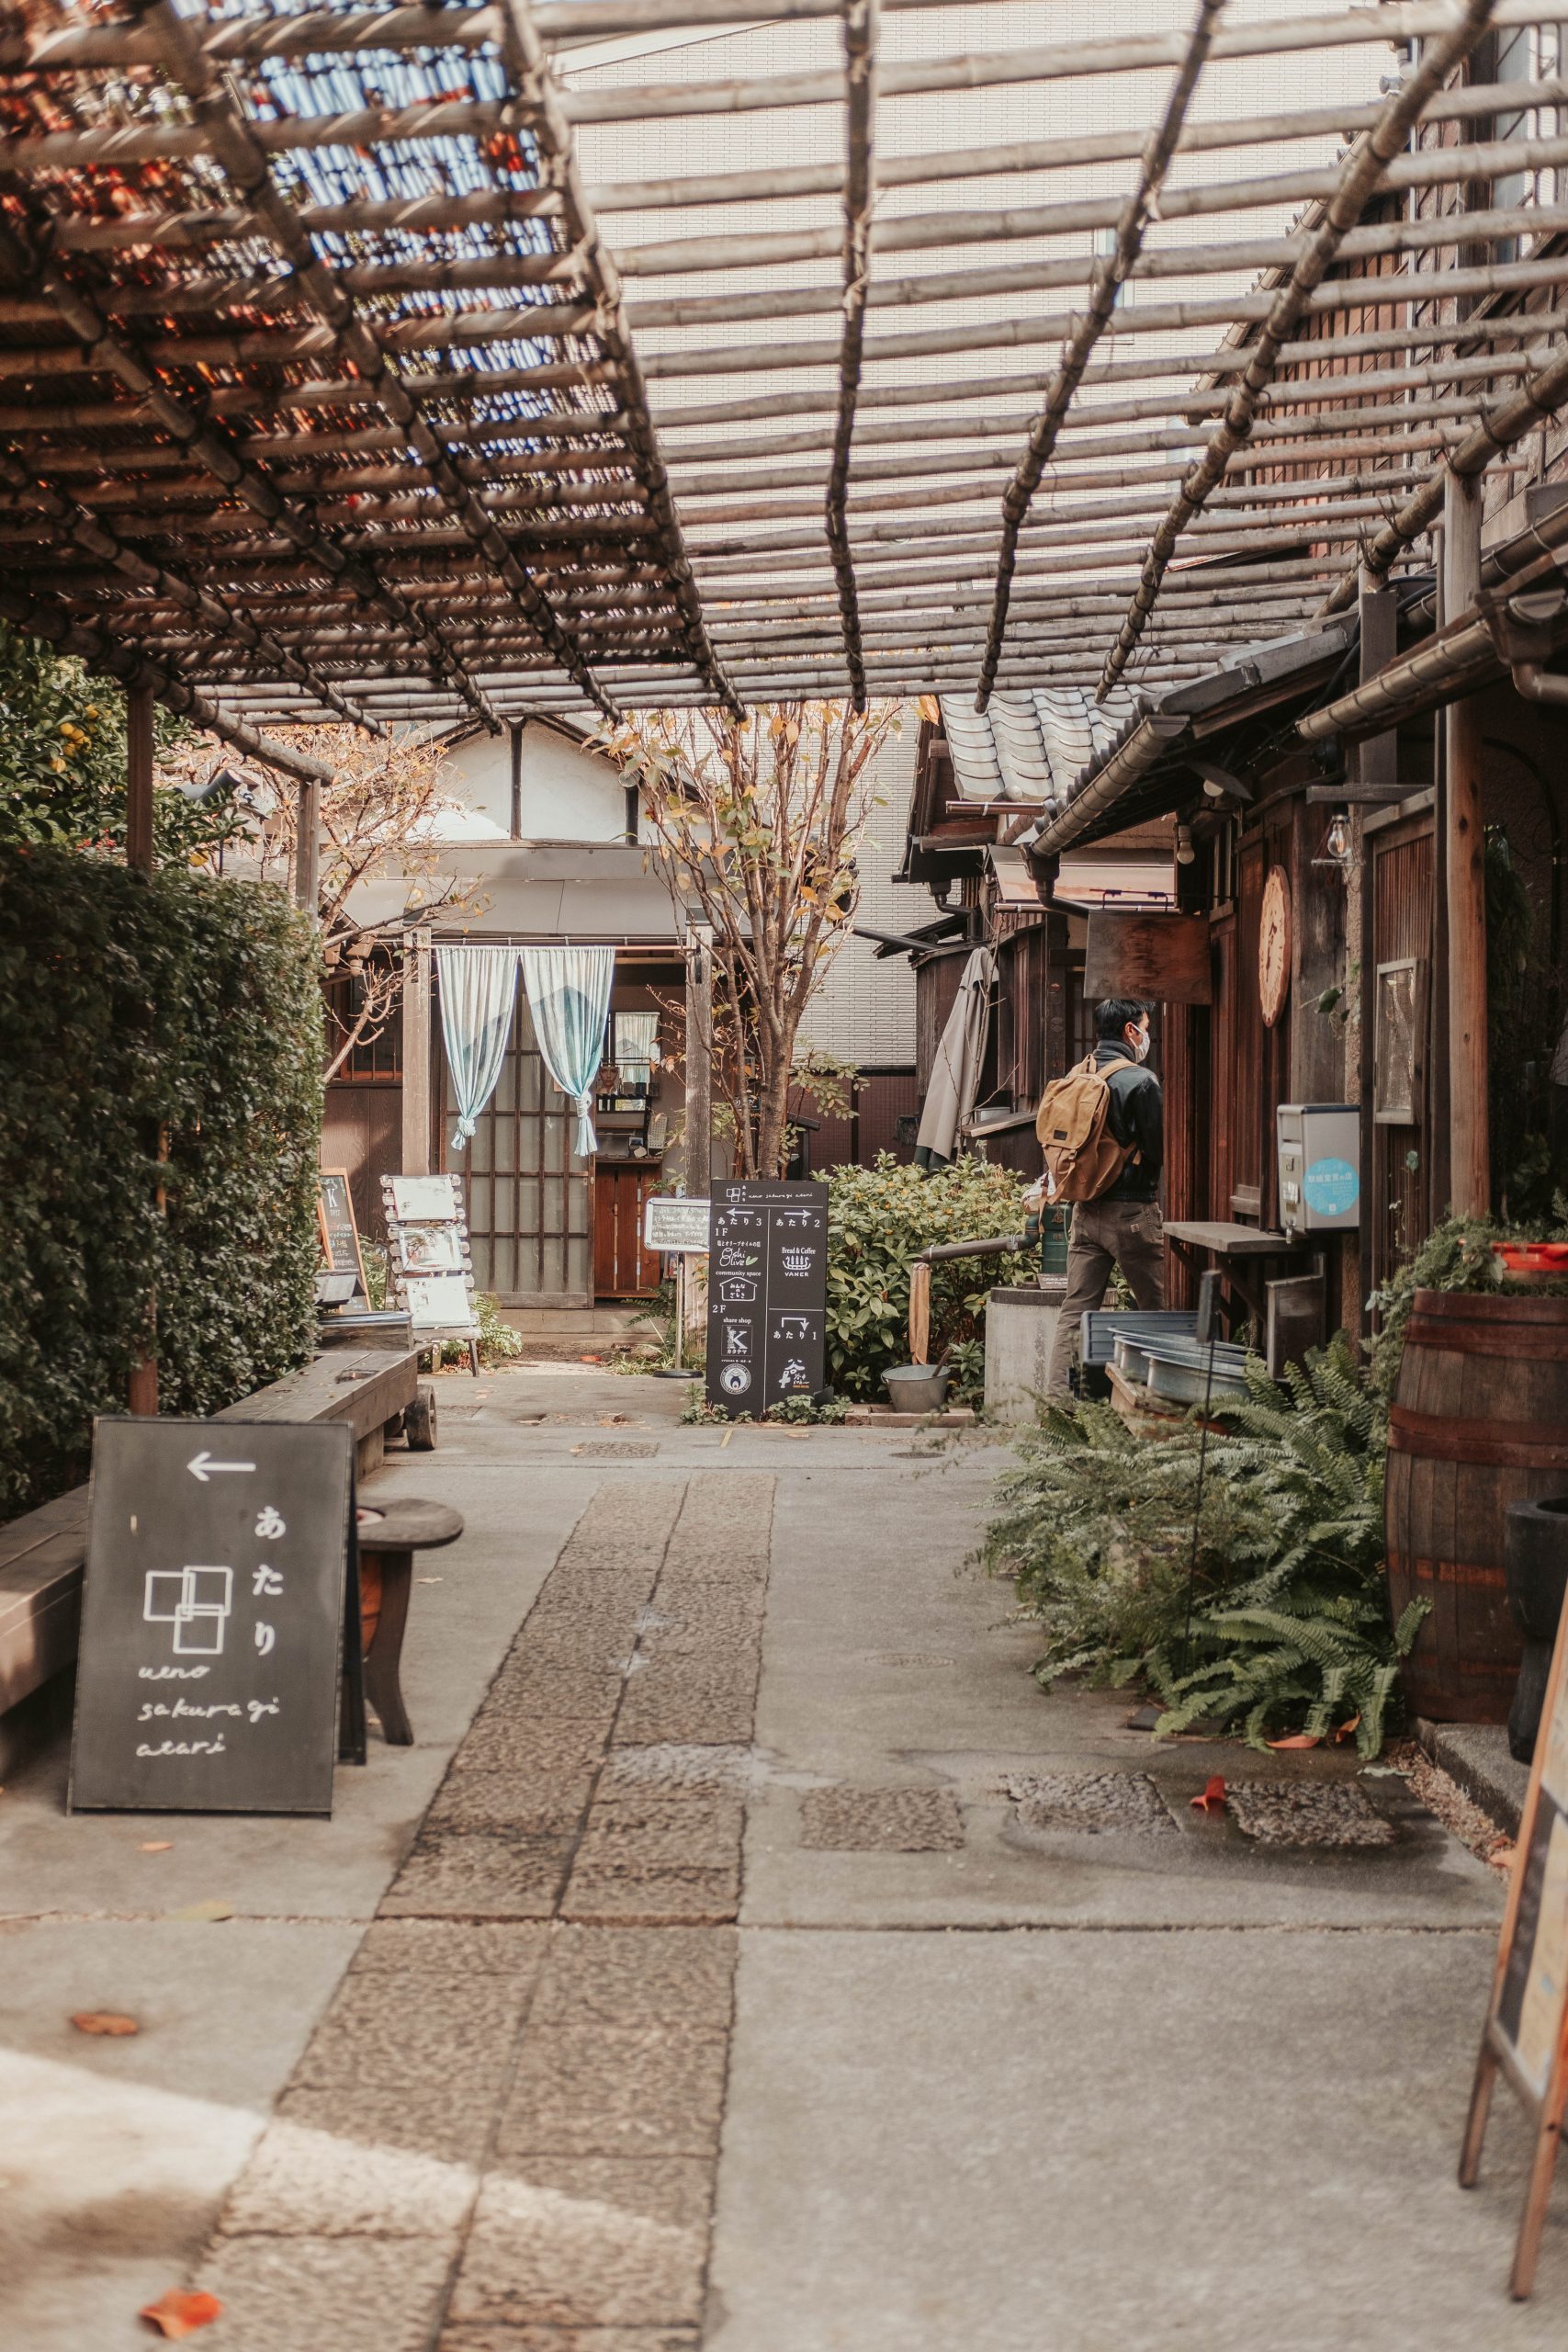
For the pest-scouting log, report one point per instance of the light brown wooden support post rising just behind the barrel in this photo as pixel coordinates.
(1466, 881)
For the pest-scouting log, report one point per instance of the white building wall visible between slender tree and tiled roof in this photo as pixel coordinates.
(866, 1010)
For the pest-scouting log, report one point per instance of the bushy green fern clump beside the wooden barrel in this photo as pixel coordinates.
(1289, 1605)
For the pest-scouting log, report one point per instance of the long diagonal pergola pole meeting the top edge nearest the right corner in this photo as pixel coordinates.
(1289, 305)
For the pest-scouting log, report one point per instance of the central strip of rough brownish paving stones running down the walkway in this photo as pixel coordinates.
(507, 2125)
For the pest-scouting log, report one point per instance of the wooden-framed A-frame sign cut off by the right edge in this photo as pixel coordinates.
(1527, 2022)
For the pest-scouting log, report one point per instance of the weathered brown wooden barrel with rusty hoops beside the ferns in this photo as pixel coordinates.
(1480, 1422)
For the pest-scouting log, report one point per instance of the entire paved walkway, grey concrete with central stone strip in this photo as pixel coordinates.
(751, 1958)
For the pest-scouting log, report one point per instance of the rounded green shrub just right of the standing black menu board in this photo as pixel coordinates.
(883, 1217)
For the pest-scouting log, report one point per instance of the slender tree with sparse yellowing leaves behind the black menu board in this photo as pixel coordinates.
(756, 827)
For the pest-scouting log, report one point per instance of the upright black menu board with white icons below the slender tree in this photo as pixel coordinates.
(768, 1295)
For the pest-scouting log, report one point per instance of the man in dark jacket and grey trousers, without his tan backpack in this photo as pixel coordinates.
(1123, 1224)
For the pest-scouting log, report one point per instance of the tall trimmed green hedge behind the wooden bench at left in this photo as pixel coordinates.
(133, 1005)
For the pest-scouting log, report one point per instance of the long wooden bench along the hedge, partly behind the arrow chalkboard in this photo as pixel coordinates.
(41, 1556)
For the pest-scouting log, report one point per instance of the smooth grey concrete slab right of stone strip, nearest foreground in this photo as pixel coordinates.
(1090, 2141)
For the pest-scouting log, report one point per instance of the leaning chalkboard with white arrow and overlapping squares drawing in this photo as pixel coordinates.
(213, 1617)
